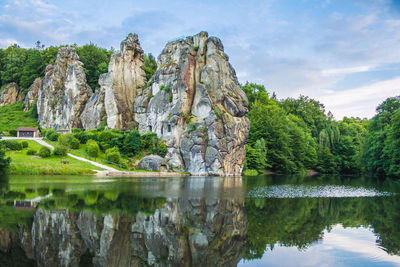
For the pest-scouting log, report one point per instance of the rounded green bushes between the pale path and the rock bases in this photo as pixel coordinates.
(116, 148)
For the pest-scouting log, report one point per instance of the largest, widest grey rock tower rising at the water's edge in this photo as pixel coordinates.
(196, 103)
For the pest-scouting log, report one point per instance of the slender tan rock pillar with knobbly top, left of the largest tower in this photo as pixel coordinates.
(124, 80)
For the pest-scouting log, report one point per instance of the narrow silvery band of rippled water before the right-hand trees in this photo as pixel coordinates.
(294, 191)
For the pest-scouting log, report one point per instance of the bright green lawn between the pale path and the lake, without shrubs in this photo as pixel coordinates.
(29, 165)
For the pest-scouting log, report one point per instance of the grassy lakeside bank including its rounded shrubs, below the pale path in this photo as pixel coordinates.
(27, 159)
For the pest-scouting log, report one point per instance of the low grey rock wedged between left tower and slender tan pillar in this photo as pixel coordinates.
(94, 114)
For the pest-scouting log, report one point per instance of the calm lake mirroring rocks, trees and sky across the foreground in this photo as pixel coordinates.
(199, 221)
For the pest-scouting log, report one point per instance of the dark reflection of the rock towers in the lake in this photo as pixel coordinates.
(184, 232)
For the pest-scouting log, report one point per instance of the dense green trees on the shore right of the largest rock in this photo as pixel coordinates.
(295, 135)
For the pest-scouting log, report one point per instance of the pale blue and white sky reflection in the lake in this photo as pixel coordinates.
(340, 247)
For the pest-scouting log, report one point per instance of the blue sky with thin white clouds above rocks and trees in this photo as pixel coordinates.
(346, 54)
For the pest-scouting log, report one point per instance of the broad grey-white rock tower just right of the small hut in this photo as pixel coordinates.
(64, 92)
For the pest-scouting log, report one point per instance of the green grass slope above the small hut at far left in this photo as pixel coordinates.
(12, 116)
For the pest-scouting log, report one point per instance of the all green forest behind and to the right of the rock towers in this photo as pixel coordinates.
(286, 136)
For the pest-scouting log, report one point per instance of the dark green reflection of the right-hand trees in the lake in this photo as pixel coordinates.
(301, 221)
